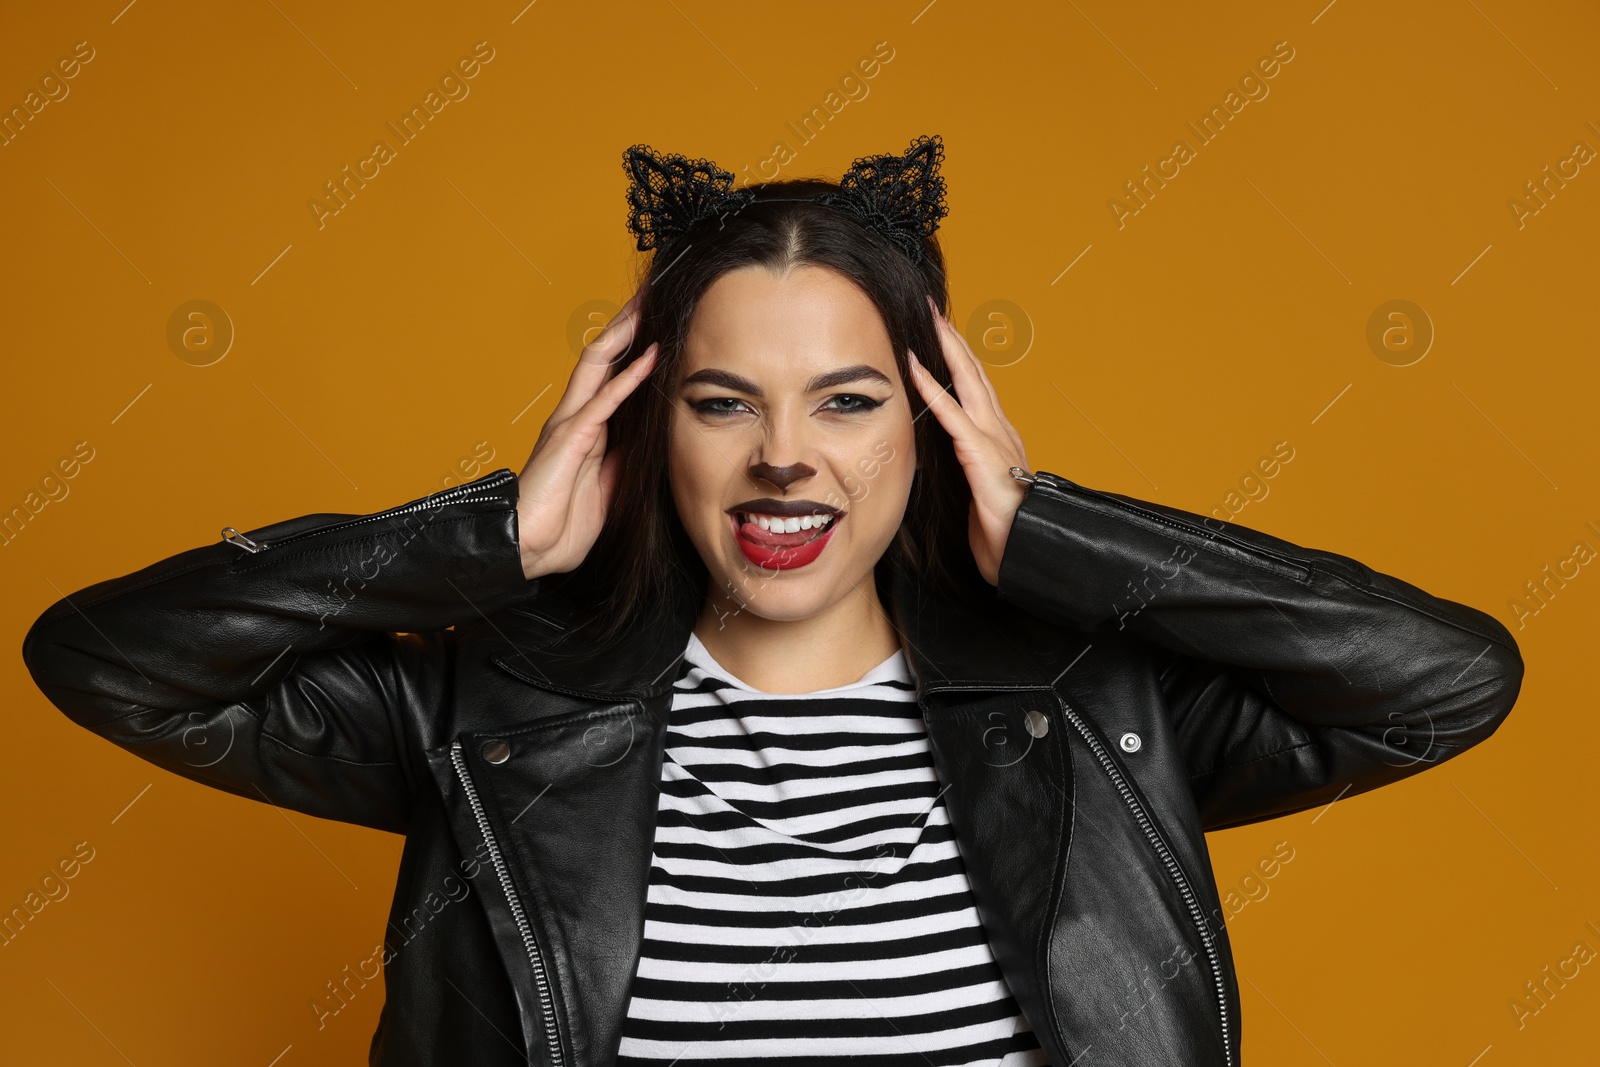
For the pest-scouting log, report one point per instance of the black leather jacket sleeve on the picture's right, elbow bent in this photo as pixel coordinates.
(1292, 676)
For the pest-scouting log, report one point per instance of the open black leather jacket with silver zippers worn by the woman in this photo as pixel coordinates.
(1142, 676)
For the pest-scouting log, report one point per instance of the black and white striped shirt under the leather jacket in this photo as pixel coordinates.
(807, 901)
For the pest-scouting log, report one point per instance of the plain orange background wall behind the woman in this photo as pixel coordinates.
(436, 311)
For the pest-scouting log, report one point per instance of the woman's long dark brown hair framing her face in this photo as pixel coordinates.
(644, 557)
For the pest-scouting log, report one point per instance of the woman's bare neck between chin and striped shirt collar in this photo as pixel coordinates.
(828, 650)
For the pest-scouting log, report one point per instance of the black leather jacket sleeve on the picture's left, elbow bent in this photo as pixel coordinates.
(287, 671)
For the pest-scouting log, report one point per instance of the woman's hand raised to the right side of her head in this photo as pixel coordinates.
(986, 444)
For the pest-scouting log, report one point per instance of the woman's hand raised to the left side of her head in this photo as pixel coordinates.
(567, 486)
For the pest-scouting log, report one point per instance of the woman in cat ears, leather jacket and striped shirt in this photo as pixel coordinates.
(775, 713)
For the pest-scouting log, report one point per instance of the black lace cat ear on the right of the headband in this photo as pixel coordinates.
(900, 196)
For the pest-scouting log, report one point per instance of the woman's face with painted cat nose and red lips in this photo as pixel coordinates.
(791, 449)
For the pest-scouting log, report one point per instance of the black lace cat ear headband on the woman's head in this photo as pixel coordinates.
(898, 196)
